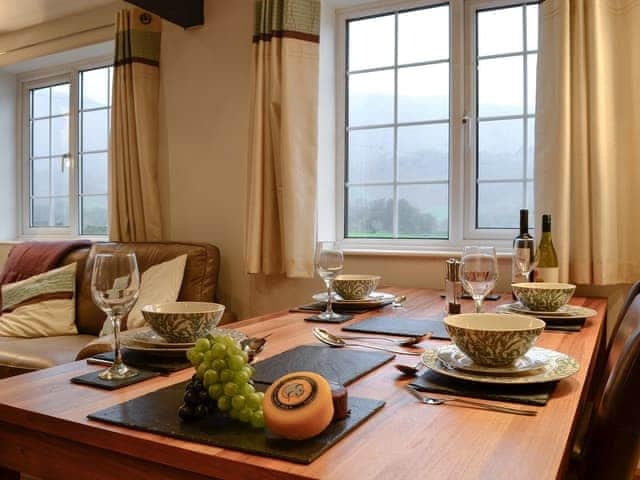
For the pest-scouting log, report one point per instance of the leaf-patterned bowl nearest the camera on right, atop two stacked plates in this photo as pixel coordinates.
(492, 339)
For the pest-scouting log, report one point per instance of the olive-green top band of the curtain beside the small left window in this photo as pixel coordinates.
(137, 38)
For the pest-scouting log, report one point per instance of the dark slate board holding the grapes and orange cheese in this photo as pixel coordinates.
(156, 412)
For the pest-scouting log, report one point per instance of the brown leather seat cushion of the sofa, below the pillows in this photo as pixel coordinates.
(29, 354)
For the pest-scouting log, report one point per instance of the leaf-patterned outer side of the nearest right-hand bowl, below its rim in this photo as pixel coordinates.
(484, 347)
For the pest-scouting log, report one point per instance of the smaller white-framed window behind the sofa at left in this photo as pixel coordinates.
(66, 120)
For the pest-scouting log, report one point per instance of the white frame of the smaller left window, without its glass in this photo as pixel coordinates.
(68, 72)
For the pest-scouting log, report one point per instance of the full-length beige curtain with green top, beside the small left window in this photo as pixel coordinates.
(134, 205)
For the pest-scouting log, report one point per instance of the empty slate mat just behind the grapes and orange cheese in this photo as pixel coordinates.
(341, 365)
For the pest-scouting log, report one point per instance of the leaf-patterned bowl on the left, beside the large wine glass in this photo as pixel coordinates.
(180, 322)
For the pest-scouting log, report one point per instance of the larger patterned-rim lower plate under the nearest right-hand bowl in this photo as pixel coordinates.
(556, 367)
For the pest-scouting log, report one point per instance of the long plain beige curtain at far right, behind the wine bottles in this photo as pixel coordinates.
(588, 136)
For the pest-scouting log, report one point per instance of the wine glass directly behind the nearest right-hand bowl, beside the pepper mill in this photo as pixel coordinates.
(479, 272)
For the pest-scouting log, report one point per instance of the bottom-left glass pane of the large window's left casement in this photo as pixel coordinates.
(370, 212)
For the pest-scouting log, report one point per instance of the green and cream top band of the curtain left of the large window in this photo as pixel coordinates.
(287, 18)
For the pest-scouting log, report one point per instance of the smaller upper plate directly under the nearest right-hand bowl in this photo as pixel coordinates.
(528, 363)
